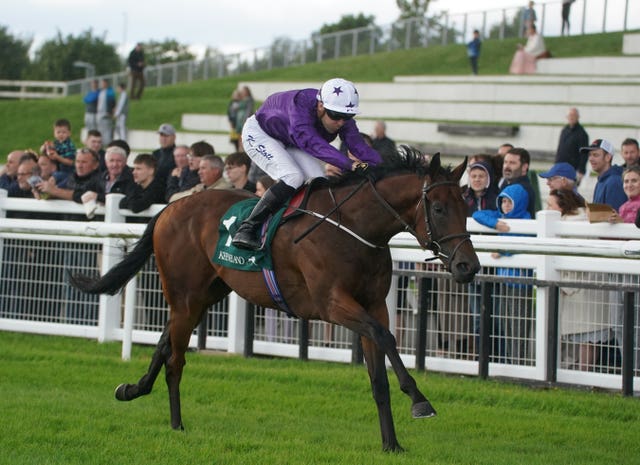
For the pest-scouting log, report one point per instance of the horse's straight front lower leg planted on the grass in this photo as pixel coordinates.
(380, 390)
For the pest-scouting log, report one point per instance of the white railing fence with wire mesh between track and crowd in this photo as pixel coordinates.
(470, 329)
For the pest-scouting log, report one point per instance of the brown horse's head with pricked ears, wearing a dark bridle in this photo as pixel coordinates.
(442, 221)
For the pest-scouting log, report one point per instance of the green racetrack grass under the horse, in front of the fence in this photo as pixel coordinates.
(57, 404)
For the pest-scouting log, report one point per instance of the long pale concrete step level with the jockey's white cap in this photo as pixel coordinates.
(518, 103)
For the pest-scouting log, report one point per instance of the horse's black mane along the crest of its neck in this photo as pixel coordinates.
(405, 160)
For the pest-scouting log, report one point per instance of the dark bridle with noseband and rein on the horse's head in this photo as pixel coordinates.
(432, 244)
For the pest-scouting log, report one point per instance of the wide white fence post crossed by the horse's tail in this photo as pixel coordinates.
(109, 313)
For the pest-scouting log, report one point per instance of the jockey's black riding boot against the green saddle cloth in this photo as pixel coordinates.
(248, 234)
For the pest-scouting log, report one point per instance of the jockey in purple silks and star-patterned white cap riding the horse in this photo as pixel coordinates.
(287, 137)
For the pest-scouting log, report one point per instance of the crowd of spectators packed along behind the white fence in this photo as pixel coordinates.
(498, 186)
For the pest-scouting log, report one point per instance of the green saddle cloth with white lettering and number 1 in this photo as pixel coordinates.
(241, 259)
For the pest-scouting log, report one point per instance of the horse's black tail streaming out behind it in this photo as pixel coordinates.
(119, 275)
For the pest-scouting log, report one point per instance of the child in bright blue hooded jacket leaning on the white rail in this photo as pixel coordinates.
(513, 314)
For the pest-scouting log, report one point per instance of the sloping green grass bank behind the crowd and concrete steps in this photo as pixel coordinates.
(28, 123)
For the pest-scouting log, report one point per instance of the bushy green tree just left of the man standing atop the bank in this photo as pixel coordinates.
(54, 60)
